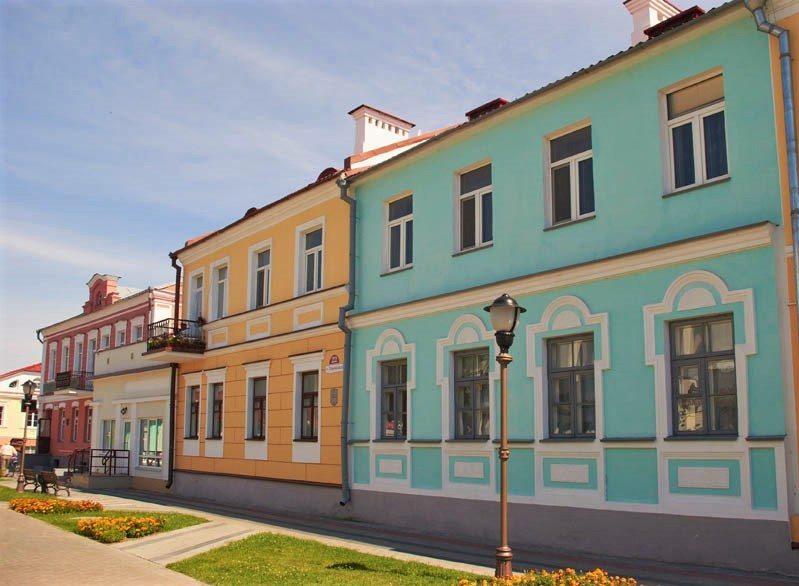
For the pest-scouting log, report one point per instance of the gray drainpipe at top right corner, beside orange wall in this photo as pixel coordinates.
(763, 25)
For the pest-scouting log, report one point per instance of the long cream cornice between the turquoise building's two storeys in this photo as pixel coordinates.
(682, 252)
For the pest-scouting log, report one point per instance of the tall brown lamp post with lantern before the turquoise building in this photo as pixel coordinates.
(504, 317)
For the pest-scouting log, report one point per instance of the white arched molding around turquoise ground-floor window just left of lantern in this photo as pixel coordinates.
(465, 333)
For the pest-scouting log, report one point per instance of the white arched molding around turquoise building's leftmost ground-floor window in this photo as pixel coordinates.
(390, 343)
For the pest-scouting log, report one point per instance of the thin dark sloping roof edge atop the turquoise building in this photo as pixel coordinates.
(606, 62)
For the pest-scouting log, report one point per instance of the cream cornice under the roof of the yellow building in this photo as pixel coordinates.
(283, 211)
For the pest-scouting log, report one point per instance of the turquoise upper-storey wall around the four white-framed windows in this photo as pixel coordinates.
(630, 210)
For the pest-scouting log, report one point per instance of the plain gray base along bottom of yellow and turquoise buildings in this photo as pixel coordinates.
(748, 545)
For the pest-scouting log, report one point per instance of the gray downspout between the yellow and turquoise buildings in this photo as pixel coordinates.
(342, 324)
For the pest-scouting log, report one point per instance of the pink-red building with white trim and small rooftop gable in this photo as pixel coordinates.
(113, 316)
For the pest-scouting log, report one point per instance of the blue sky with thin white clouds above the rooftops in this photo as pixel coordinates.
(127, 128)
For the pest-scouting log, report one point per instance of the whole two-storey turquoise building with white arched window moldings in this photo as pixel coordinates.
(633, 208)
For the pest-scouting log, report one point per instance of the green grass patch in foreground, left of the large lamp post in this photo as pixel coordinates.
(267, 558)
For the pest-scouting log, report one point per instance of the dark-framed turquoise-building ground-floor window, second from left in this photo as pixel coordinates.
(472, 399)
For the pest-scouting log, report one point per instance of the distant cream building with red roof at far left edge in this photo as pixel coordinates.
(12, 416)
